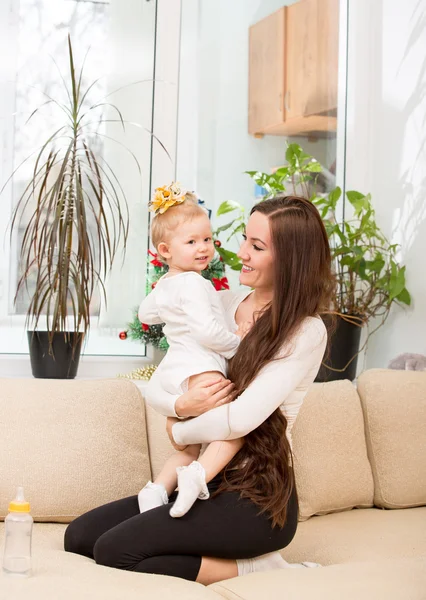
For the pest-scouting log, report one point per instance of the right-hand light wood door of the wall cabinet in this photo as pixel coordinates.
(311, 54)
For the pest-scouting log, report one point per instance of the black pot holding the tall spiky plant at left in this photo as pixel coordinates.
(62, 360)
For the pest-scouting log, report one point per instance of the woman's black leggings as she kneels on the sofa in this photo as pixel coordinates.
(227, 526)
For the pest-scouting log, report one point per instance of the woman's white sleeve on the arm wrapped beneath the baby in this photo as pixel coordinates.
(272, 387)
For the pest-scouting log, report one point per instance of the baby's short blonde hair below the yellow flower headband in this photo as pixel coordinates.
(164, 224)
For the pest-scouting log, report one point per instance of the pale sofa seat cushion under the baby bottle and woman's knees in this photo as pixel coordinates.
(59, 574)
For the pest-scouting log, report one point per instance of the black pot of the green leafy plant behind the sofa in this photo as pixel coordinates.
(343, 346)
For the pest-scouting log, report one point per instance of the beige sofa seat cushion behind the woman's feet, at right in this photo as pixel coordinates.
(360, 535)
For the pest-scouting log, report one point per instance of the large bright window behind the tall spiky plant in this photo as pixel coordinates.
(121, 38)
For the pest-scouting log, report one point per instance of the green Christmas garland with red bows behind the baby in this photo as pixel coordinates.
(153, 334)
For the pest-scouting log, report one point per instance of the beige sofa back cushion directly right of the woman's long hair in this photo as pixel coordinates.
(330, 456)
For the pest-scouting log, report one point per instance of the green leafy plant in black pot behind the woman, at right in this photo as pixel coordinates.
(369, 278)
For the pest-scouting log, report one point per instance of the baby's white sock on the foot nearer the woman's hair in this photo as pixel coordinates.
(192, 485)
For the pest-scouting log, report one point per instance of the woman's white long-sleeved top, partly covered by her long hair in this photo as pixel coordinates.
(282, 383)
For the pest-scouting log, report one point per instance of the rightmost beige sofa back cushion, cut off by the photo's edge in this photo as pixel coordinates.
(394, 404)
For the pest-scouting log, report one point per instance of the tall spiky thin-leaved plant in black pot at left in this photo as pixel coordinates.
(77, 219)
